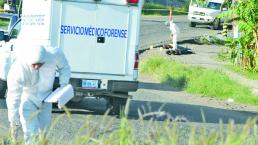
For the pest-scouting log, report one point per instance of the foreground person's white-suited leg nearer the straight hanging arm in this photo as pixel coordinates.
(29, 120)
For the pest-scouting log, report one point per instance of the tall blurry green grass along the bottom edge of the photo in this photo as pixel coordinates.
(156, 133)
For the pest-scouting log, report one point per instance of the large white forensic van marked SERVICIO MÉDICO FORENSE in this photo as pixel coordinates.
(100, 39)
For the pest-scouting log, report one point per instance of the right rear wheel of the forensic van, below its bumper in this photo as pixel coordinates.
(116, 105)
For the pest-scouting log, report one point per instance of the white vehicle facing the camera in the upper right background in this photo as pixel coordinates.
(208, 14)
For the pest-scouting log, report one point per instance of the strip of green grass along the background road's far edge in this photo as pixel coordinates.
(161, 10)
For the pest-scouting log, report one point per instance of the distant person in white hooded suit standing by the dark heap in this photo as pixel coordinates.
(174, 33)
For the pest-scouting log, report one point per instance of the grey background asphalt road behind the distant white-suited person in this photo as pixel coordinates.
(154, 31)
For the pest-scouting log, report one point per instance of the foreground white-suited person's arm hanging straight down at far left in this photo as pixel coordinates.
(15, 88)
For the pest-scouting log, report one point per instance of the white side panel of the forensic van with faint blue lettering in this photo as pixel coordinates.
(35, 23)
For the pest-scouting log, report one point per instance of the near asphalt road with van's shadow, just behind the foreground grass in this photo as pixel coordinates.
(91, 111)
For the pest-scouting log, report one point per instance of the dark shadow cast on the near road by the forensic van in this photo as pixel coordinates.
(161, 111)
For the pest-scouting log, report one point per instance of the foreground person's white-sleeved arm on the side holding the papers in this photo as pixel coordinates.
(63, 69)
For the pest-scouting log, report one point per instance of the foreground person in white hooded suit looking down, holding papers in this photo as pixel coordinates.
(30, 80)
